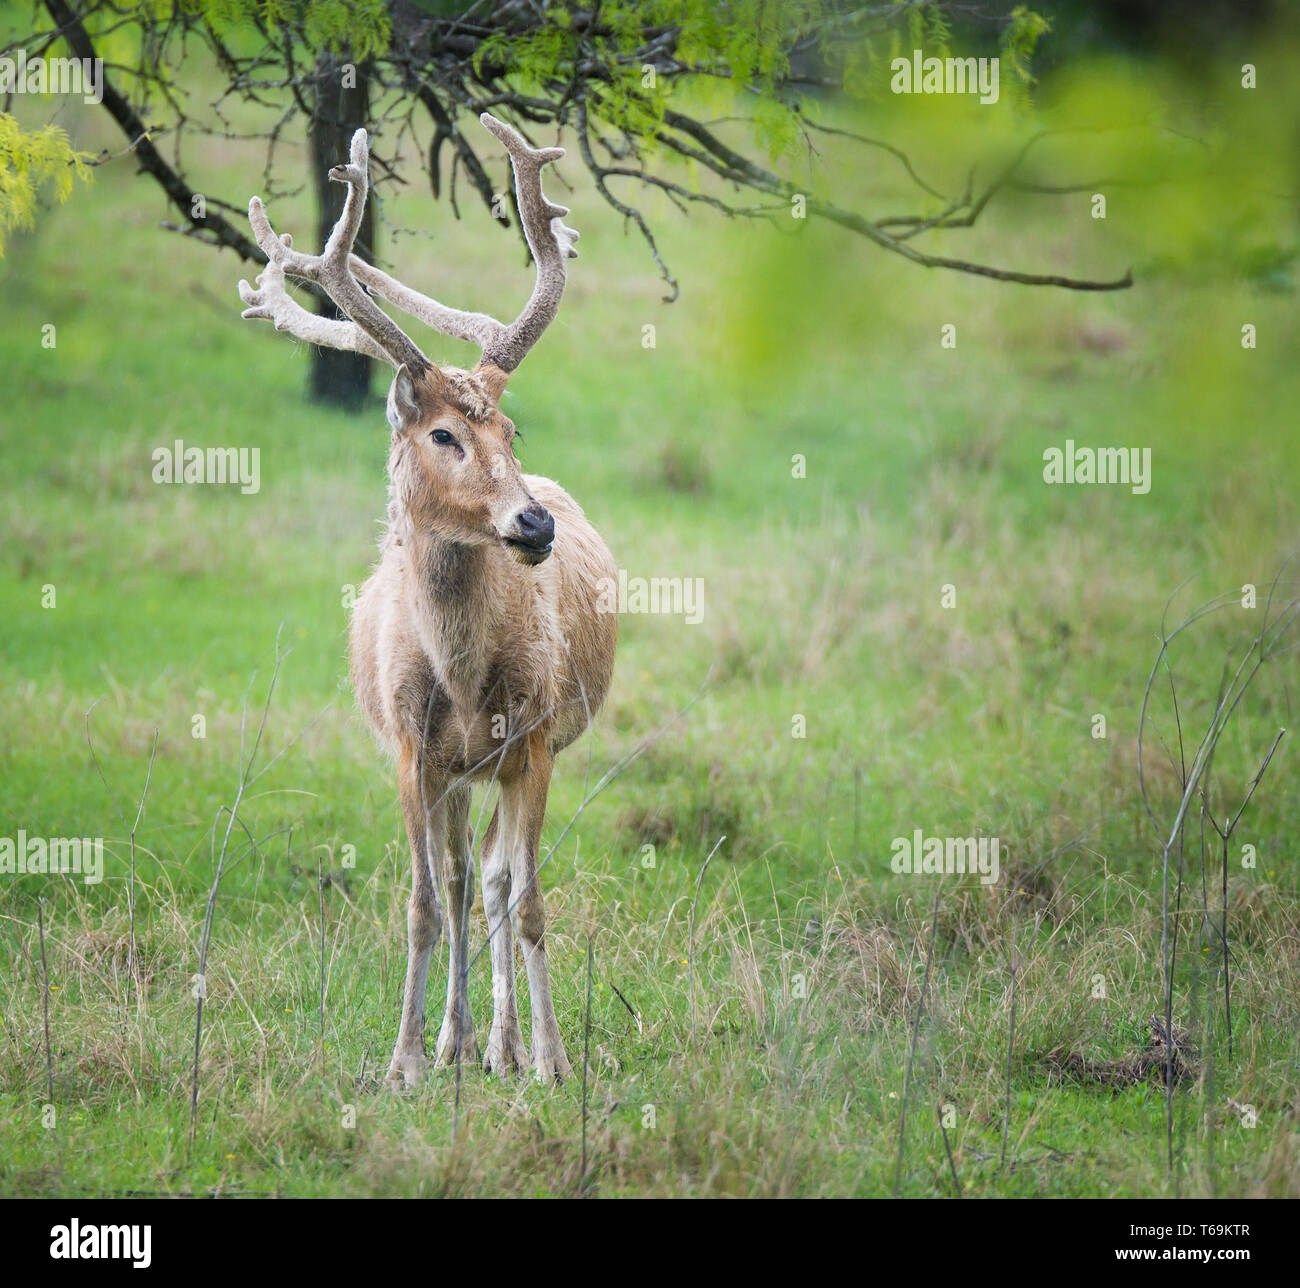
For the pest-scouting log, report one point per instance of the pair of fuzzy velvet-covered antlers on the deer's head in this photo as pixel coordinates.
(345, 277)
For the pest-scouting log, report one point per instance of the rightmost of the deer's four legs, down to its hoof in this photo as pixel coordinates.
(523, 812)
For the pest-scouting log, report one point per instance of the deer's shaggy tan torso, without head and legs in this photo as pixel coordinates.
(489, 635)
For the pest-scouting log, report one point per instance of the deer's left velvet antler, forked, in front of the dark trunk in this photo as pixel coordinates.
(371, 328)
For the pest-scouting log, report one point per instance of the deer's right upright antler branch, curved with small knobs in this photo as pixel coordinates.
(549, 238)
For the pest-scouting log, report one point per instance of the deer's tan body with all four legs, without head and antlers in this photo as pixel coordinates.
(462, 652)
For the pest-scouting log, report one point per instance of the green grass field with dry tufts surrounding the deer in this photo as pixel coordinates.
(769, 1050)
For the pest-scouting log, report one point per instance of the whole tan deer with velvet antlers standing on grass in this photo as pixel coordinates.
(480, 647)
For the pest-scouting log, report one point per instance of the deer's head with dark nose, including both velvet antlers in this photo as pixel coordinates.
(453, 467)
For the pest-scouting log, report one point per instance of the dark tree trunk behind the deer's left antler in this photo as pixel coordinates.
(341, 107)
